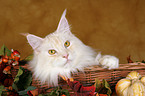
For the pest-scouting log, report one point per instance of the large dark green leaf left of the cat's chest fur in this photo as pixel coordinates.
(23, 79)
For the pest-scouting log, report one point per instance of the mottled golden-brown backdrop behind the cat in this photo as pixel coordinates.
(115, 27)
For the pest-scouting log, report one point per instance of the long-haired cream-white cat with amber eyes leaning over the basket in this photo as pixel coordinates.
(62, 53)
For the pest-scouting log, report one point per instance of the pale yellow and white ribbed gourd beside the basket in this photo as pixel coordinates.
(132, 85)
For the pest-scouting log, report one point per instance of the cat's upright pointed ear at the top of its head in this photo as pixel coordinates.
(63, 25)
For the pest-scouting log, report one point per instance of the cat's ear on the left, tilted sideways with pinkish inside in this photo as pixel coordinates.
(34, 41)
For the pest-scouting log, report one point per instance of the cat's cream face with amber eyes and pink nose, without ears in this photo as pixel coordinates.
(60, 50)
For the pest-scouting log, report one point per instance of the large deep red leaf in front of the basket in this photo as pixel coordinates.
(80, 90)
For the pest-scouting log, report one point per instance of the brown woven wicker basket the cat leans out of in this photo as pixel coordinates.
(89, 75)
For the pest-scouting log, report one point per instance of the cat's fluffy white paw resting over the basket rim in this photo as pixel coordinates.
(109, 62)
